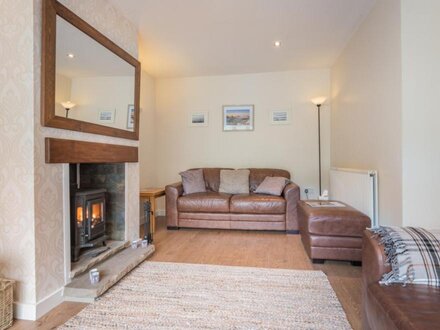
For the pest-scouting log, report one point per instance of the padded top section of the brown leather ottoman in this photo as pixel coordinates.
(334, 221)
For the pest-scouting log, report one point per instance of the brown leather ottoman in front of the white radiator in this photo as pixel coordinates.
(333, 233)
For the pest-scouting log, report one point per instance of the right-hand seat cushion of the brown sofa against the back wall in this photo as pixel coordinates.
(258, 204)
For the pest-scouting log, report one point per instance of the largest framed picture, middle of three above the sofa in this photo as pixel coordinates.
(238, 118)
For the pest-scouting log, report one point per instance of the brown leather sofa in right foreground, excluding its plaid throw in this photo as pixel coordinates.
(413, 306)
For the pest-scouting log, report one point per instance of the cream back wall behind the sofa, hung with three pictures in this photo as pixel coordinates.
(292, 147)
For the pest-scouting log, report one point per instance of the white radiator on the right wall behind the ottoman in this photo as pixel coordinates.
(357, 188)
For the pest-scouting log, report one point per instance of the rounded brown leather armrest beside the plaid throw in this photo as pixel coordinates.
(373, 259)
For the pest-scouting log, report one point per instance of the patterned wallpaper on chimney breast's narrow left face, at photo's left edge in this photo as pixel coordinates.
(17, 239)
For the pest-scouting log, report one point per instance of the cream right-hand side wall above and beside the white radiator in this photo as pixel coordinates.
(366, 105)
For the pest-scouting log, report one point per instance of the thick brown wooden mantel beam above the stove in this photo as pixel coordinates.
(71, 151)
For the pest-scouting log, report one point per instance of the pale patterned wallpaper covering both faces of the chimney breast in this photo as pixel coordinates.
(31, 228)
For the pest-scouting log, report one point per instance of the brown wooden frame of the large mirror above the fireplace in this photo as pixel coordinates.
(52, 9)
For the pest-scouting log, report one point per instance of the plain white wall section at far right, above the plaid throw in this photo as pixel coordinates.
(421, 116)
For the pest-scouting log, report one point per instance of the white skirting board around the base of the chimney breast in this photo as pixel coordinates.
(34, 312)
